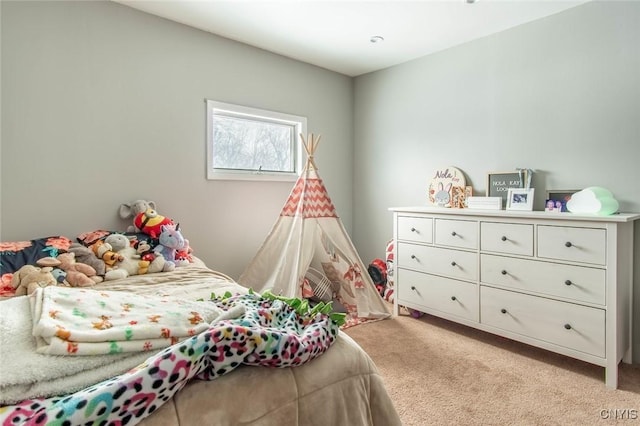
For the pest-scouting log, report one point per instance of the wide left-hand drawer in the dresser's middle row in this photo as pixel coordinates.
(440, 261)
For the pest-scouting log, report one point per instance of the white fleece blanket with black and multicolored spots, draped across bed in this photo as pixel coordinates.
(269, 333)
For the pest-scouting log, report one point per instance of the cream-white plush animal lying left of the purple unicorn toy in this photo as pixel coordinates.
(131, 262)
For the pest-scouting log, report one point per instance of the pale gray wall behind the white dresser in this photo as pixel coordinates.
(560, 95)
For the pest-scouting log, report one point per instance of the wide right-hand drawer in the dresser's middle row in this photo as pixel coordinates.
(579, 283)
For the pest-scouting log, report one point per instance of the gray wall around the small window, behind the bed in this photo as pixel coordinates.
(103, 104)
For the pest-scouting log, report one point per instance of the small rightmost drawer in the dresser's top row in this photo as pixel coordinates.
(586, 245)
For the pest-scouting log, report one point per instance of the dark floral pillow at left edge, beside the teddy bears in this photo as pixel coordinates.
(15, 254)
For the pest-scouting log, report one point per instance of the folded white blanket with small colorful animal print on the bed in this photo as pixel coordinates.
(80, 321)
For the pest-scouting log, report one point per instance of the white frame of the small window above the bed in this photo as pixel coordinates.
(231, 110)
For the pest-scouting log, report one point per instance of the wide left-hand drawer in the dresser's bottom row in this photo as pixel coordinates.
(442, 294)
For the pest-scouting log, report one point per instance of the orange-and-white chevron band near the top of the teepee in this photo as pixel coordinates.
(309, 199)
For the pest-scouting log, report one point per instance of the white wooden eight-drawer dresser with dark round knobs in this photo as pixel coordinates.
(559, 281)
